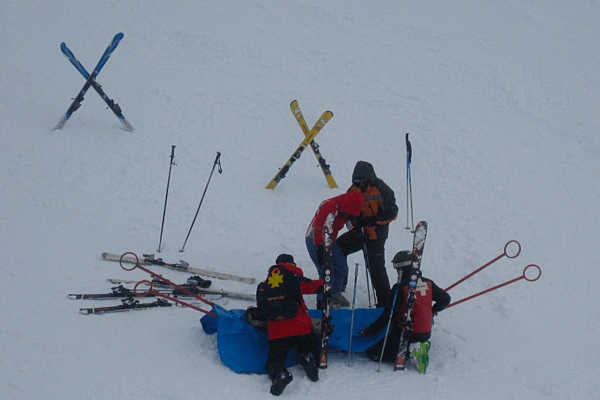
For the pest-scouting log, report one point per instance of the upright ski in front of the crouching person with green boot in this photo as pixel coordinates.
(415, 274)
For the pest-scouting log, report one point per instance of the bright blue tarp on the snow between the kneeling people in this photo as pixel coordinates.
(243, 348)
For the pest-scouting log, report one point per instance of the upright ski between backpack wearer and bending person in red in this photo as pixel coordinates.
(326, 324)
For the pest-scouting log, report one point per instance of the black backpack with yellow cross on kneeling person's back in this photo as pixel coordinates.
(279, 295)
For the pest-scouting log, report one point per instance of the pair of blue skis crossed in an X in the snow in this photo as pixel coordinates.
(91, 81)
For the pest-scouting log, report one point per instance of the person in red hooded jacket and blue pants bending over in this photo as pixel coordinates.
(341, 207)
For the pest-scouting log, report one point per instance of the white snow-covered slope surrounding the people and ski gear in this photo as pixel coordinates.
(501, 100)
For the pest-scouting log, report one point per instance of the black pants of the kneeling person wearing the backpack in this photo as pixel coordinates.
(279, 349)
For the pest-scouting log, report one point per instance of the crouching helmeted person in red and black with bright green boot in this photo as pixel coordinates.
(430, 299)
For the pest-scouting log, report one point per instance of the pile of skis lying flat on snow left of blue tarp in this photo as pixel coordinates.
(159, 288)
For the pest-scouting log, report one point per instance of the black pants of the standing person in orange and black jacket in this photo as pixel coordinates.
(353, 241)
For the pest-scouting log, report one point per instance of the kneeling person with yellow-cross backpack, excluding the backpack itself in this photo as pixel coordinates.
(293, 332)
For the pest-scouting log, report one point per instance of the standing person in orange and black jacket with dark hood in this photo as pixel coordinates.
(371, 227)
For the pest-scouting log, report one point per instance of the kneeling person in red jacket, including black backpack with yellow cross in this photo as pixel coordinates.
(289, 325)
